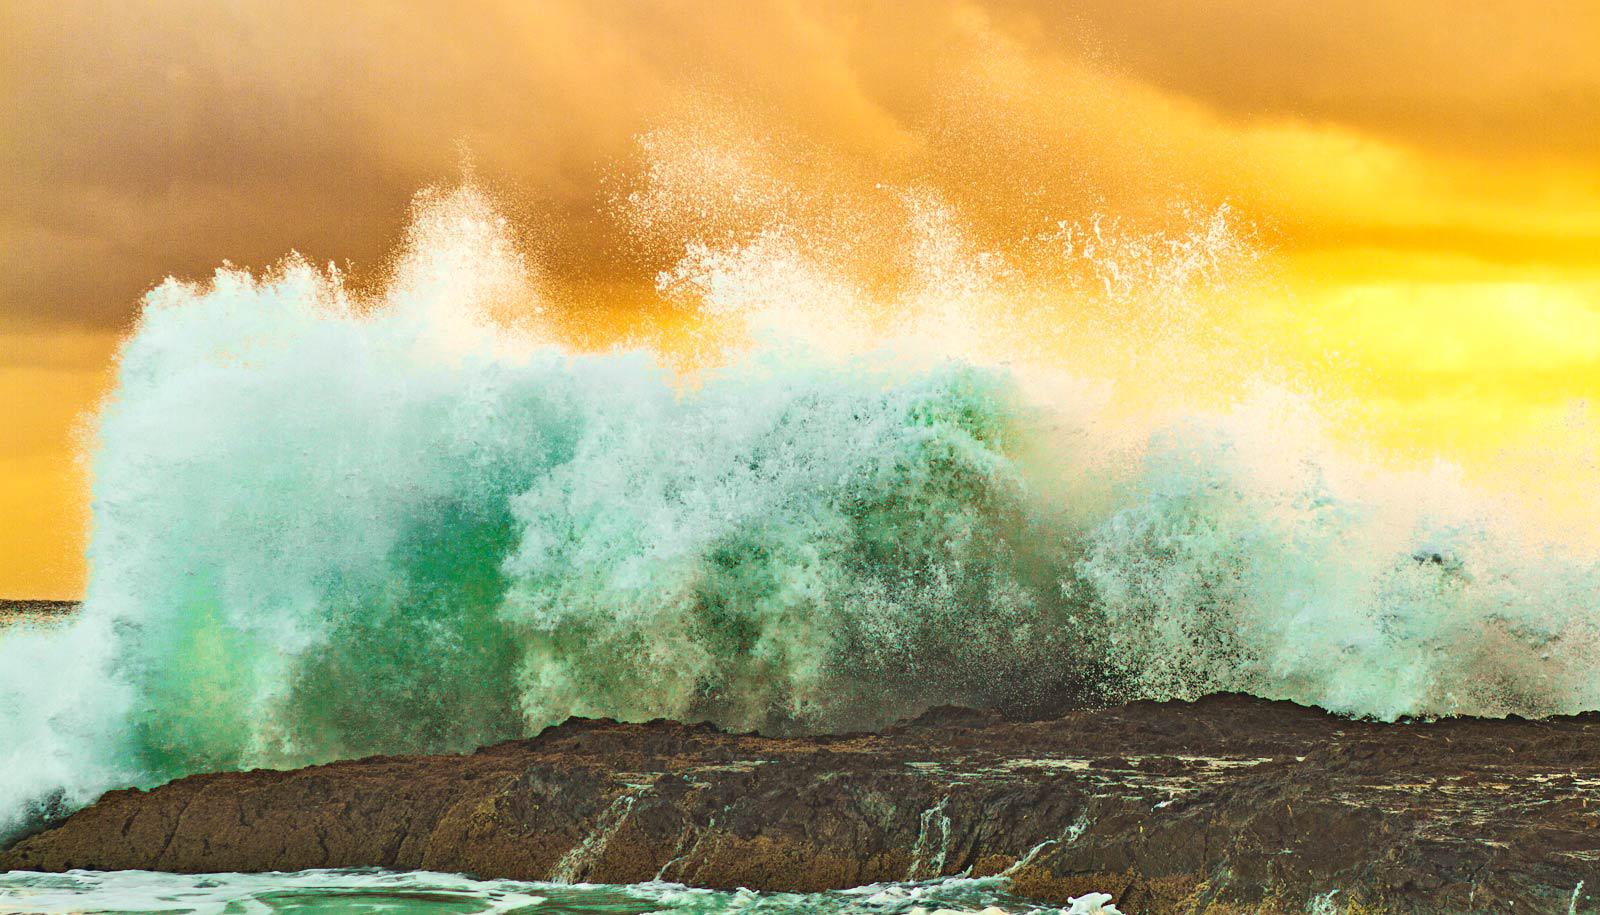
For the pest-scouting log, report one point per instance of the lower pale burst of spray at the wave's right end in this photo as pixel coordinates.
(1241, 561)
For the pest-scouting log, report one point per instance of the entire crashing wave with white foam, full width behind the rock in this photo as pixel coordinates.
(330, 525)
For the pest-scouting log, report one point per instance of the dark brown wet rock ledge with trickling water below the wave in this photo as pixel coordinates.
(1222, 805)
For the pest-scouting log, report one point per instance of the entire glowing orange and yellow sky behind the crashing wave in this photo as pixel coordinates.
(1426, 174)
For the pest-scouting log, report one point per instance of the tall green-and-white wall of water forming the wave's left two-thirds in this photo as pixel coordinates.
(330, 529)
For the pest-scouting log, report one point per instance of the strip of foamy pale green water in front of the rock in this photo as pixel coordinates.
(423, 893)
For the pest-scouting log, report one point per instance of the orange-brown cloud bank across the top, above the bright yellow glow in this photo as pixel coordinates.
(166, 138)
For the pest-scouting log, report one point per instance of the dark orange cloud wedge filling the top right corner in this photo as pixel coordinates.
(1494, 78)
